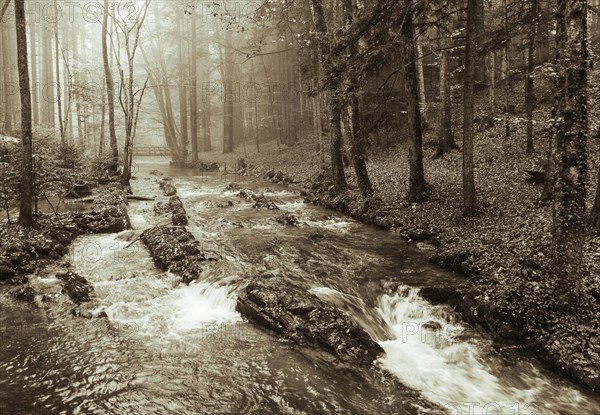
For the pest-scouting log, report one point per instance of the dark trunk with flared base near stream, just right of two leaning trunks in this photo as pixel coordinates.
(416, 185)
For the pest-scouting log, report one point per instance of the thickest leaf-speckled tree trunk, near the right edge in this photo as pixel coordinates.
(570, 152)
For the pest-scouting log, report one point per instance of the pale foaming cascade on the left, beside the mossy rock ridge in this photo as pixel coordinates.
(133, 293)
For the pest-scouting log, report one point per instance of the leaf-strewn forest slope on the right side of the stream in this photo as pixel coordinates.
(505, 247)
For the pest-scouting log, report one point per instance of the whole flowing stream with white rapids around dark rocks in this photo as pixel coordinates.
(167, 348)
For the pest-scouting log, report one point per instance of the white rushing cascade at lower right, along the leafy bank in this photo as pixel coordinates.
(455, 368)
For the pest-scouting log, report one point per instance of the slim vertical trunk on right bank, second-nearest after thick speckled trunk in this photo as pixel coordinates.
(468, 132)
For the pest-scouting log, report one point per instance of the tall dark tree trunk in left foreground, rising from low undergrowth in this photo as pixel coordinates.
(26, 205)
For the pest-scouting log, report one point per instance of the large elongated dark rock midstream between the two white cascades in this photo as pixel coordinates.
(300, 316)
